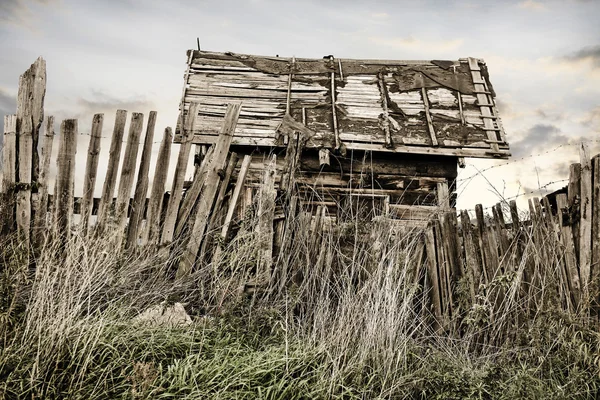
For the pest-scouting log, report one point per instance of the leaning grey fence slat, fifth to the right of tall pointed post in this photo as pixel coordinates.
(127, 174)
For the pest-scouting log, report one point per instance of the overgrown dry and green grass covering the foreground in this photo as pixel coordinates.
(346, 315)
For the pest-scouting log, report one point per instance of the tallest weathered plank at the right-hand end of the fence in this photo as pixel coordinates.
(585, 221)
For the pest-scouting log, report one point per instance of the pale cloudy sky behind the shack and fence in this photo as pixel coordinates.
(543, 58)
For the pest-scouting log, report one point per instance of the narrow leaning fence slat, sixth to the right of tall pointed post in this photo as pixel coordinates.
(141, 186)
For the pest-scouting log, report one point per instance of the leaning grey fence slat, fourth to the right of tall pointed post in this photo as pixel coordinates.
(111, 172)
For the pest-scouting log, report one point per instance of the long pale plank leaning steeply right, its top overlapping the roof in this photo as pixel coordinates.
(206, 202)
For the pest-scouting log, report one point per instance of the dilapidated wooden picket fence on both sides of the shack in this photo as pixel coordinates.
(461, 255)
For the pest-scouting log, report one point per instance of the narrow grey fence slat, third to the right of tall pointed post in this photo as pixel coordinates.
(91, 171)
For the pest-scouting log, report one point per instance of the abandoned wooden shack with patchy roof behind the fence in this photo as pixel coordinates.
(382, 136)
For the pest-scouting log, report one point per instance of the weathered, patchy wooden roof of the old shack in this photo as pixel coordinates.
(423, 107)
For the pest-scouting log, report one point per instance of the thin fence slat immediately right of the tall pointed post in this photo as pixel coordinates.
(39, 222)
